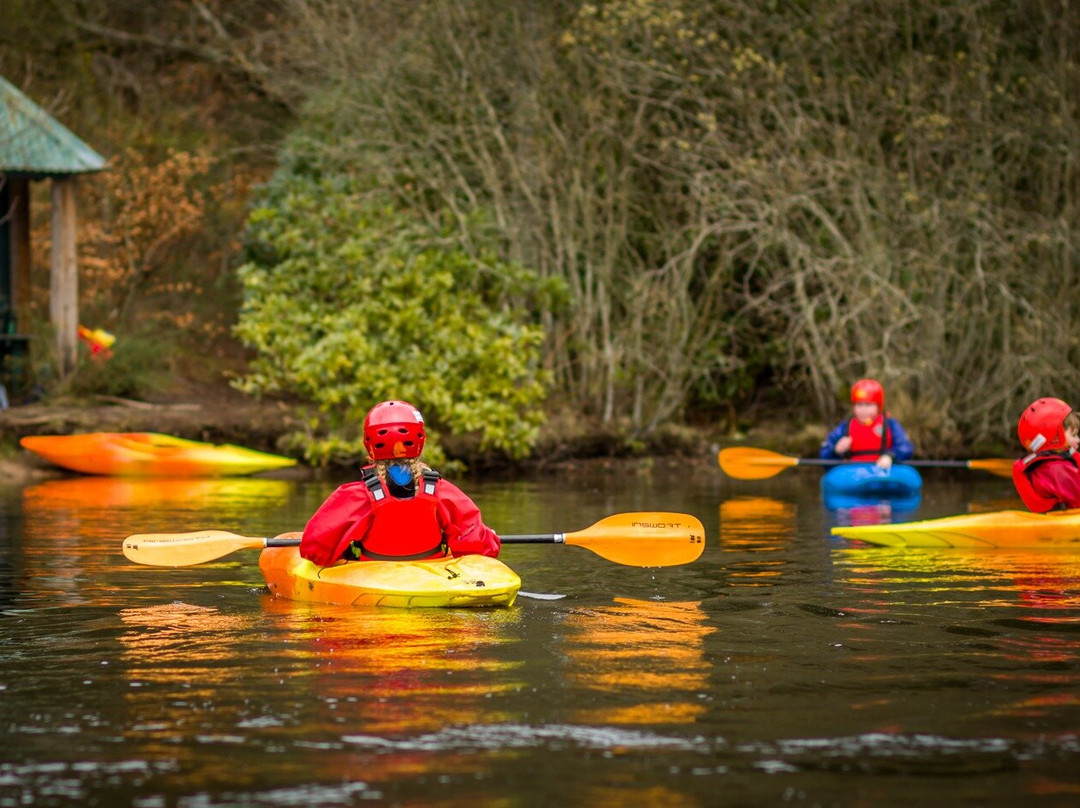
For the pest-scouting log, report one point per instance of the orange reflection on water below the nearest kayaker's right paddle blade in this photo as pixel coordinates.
(652, 651)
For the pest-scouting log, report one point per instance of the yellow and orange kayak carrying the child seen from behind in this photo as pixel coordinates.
(471, 581)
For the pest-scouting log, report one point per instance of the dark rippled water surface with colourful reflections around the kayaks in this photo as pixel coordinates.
(782, 668)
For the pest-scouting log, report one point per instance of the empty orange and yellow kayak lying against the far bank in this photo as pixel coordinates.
(150, 454)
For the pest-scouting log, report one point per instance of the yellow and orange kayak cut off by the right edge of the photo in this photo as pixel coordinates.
(1001, 529)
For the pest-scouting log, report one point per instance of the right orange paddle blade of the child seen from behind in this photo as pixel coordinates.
(647, 540)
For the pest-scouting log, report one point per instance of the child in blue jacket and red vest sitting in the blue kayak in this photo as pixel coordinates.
(872, 436)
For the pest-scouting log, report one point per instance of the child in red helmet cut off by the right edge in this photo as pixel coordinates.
(1049, 478)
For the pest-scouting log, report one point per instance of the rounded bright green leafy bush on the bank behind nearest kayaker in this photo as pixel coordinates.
(350, 300)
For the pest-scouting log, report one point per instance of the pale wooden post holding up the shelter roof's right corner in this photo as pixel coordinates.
(64, 276)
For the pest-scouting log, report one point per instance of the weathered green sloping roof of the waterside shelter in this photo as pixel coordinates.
(36, 144)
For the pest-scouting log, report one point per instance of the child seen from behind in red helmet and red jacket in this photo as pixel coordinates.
(400, 510)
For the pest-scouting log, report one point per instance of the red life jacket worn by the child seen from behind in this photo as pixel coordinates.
(402, 530)
